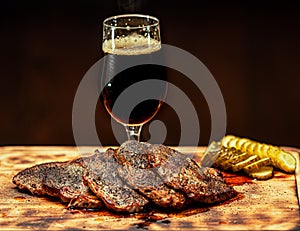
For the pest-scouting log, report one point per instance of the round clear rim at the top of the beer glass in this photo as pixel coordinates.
(155, 23)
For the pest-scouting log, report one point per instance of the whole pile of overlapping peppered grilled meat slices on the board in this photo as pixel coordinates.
(127, 179)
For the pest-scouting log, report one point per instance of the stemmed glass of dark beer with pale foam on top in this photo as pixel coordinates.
(134, 84)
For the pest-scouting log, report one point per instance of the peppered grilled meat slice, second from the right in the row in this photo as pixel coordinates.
(151, 186)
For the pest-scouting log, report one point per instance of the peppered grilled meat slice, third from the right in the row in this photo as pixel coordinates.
(102, 178)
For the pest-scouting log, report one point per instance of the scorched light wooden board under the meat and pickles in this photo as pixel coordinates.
(263, 205)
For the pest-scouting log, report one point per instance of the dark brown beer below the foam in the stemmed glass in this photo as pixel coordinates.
(145, 110)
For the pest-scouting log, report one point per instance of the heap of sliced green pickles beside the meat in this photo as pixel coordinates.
(253, 158)
